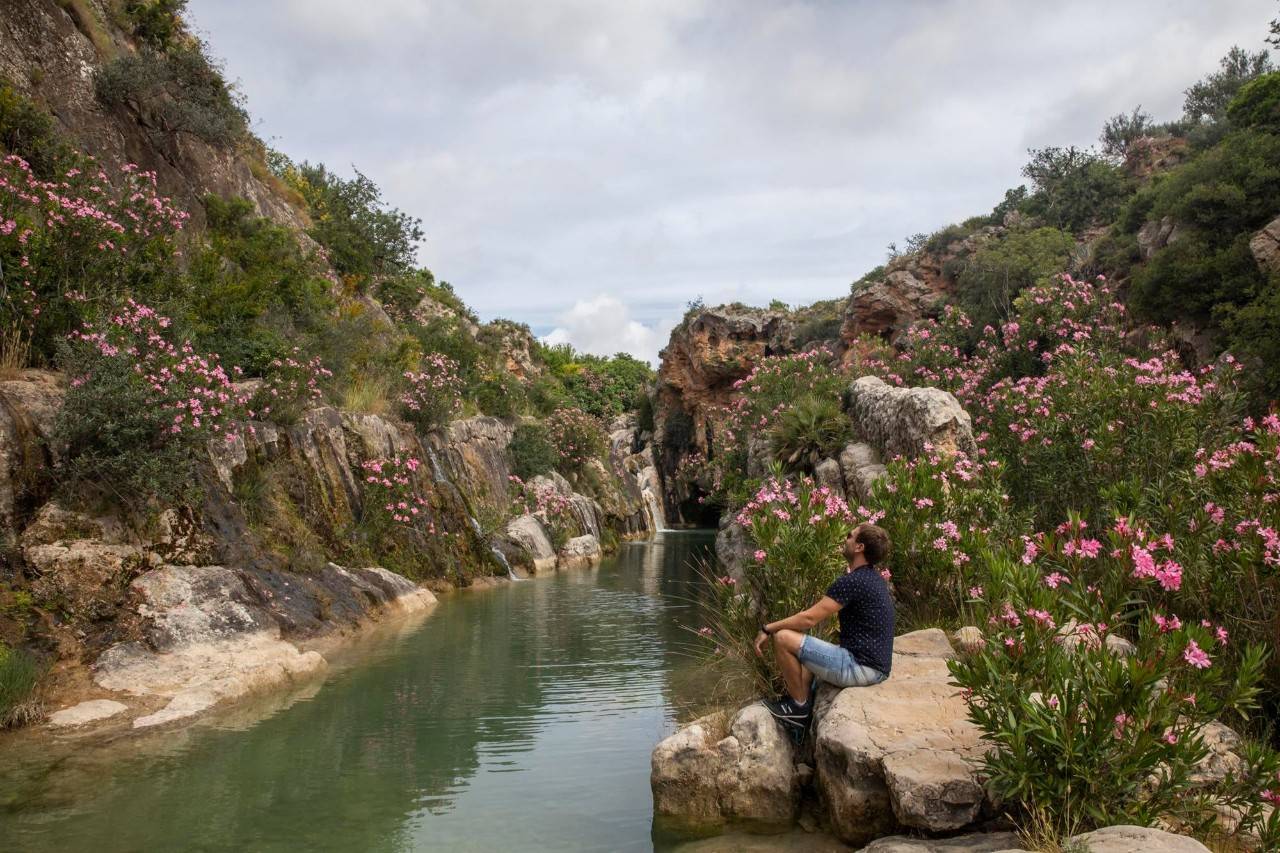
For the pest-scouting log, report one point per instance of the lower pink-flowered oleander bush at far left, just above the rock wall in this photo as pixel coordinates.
(140, 413)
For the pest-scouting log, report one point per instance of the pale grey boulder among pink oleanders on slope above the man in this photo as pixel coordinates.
(907, 421)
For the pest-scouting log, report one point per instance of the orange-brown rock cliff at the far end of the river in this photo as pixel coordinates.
(707, 354)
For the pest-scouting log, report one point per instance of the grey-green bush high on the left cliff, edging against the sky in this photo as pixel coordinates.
(177, 92)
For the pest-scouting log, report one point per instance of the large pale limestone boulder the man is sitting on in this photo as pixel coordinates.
(899, 754)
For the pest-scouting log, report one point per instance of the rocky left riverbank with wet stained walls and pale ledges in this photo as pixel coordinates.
(158, 615)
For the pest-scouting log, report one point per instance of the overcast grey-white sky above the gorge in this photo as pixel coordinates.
(589, 167)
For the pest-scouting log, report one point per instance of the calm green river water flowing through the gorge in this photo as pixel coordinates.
(519, 718)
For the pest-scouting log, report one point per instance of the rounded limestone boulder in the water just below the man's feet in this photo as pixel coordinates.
(749, 776)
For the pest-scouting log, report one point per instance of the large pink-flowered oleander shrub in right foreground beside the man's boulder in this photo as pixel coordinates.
(1084, 736)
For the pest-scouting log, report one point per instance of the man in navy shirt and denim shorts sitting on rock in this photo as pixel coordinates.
(866, 651)
